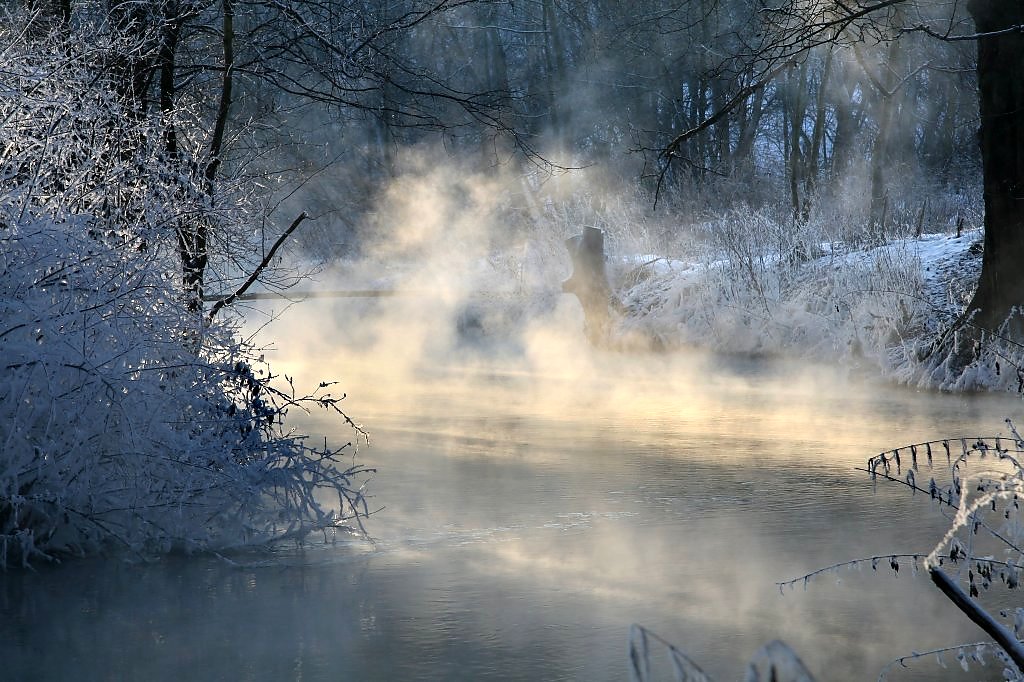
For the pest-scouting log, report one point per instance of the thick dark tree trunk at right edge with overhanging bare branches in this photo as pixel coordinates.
(792, 32)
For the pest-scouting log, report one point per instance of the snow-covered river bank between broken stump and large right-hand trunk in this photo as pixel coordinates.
(880, 306)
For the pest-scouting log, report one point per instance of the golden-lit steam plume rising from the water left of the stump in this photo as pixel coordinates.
(478, 265)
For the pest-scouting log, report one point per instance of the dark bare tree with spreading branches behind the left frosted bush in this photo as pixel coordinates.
(217, 59)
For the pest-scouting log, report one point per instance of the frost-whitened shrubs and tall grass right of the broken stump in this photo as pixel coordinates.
(755, 284)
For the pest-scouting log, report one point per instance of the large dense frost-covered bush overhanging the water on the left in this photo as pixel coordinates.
(125, 420)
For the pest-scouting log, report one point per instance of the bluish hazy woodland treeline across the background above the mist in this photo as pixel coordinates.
(325, 96)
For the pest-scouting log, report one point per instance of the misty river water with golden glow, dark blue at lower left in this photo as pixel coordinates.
(531, 510)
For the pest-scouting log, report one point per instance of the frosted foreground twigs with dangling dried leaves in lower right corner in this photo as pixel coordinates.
(978, 565)
